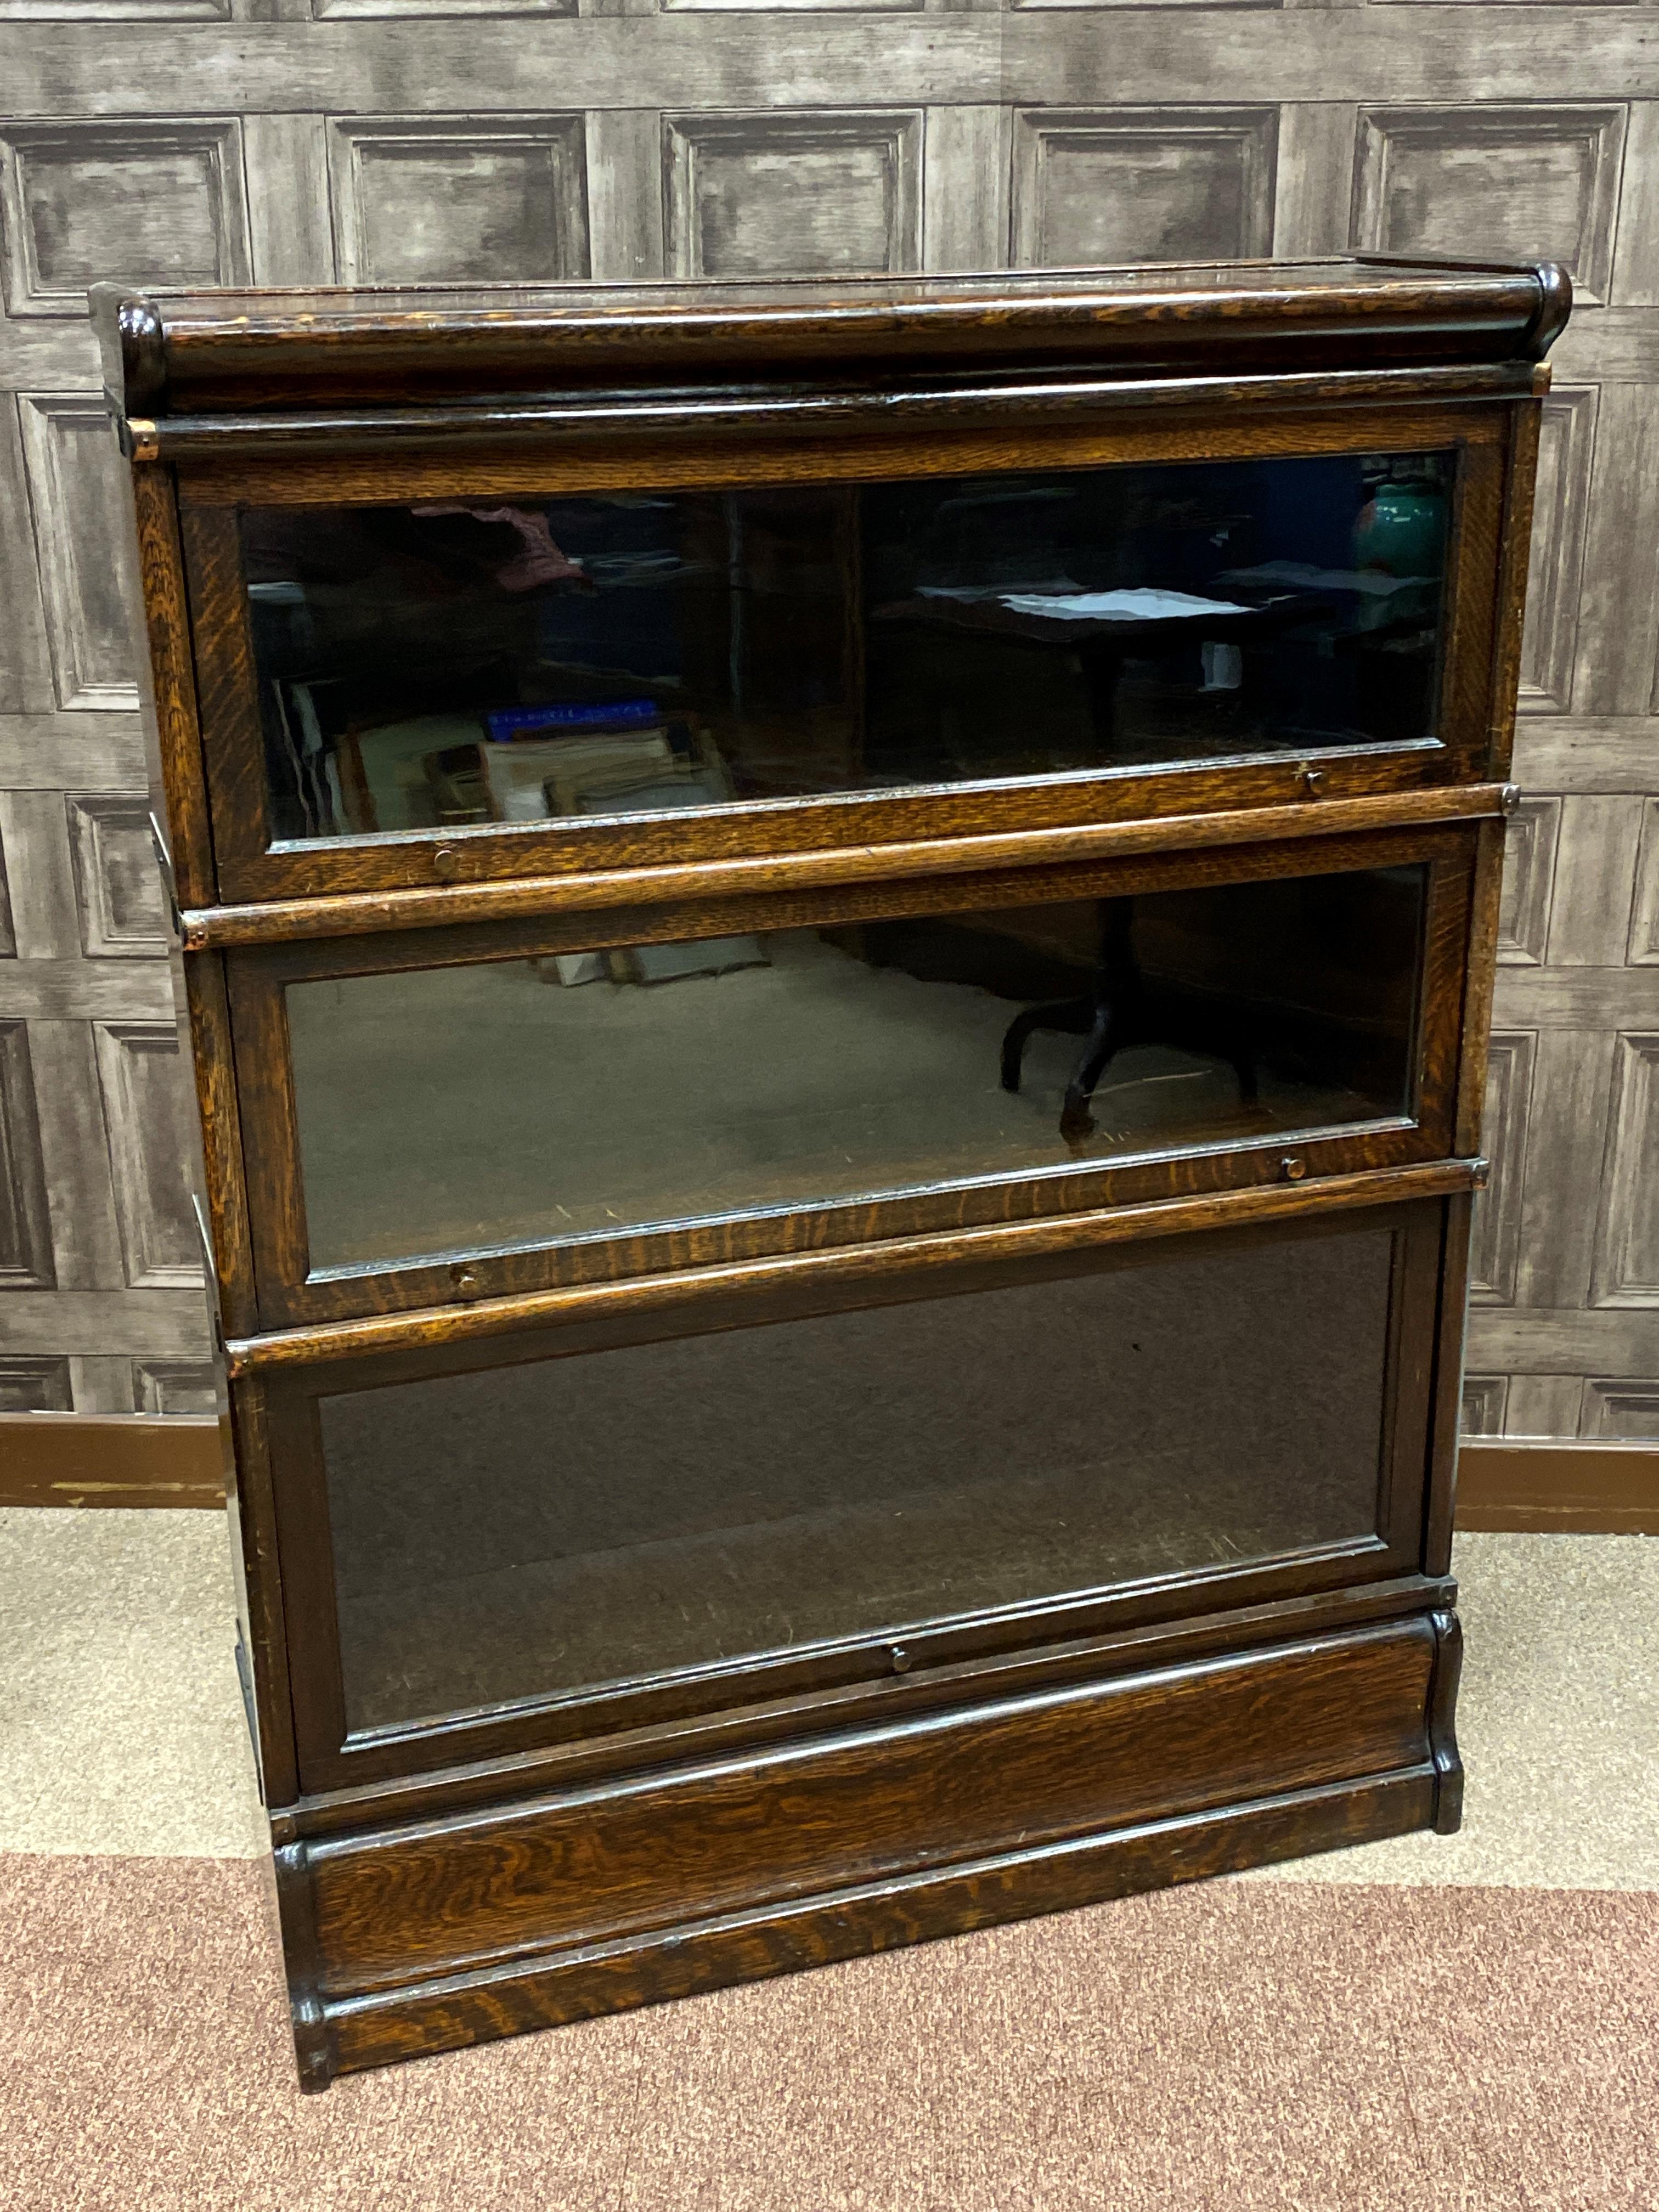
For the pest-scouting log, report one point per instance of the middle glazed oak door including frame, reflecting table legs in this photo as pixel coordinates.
(483, 1112)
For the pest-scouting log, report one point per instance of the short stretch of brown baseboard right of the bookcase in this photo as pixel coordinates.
(1541, 1488)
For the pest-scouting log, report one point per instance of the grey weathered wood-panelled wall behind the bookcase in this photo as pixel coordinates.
(404, 140)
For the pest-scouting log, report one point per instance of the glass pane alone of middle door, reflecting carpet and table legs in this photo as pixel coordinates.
(587, 1094)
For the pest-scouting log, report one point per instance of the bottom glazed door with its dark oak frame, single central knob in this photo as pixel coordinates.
(649, 1519)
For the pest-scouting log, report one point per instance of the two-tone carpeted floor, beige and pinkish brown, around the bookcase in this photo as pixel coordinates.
(1432, 2025)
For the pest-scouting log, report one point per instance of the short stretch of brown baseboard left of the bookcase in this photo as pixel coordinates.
(112, 1461)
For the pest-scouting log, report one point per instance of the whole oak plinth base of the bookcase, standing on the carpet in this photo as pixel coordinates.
(678, 1881)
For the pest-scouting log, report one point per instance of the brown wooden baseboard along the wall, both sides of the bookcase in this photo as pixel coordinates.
(176, 1461)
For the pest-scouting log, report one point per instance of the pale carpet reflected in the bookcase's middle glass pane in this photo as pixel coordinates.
(811, 1078)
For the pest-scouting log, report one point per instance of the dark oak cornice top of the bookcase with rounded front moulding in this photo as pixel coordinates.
(273, 353)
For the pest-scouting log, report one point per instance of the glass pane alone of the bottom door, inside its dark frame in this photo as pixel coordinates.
(583, 1521)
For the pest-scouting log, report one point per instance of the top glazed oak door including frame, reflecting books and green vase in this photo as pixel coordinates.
(614, 676)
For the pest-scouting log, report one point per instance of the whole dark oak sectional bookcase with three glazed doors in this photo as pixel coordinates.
(837, 943)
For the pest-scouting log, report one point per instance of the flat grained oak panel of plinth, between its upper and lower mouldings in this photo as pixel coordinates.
(397, 1908)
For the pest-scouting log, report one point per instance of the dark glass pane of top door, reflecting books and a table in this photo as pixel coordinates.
(634, 654)
